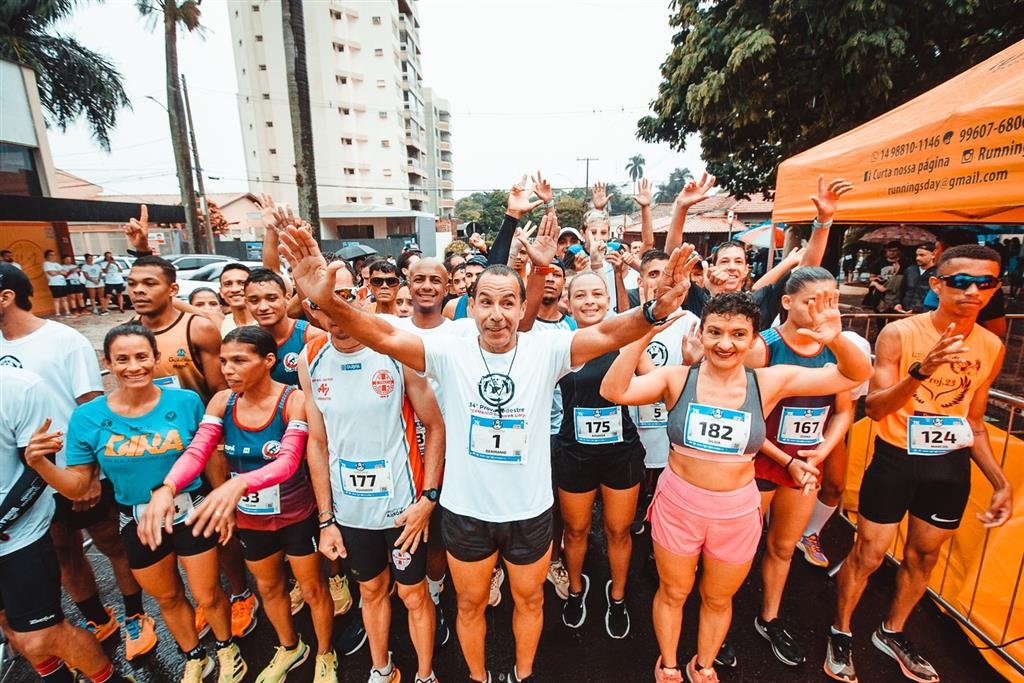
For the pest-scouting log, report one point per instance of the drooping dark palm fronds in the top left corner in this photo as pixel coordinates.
(73, 80)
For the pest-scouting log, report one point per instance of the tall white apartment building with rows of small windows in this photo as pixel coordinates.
(371, 134)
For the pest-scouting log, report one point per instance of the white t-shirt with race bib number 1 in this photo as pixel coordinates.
(498, 469)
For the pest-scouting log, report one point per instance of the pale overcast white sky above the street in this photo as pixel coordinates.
(532, 84)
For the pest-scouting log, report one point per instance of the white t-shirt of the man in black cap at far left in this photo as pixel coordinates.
(64, 359)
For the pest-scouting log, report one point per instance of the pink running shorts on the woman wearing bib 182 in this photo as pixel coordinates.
(689, 521)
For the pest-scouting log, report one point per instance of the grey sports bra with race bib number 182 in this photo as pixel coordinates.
(718, 435)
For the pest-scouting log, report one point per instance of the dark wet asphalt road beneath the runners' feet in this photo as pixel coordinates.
(588, 655)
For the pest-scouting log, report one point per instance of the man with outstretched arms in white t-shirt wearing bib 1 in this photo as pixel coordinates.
(497, 496)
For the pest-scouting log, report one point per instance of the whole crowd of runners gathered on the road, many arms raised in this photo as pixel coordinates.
(331, 433)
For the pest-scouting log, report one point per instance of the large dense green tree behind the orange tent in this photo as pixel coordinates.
(762, 81)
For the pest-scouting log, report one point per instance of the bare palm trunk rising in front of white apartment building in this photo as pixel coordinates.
(294, 33)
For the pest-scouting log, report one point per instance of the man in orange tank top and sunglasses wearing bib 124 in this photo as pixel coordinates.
(929, 397)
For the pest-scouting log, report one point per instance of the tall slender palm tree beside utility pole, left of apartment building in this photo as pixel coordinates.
(172, 15)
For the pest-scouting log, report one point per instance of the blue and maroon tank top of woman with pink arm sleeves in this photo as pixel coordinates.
(247, 450)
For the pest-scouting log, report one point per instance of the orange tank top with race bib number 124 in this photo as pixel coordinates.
(945, 396)
